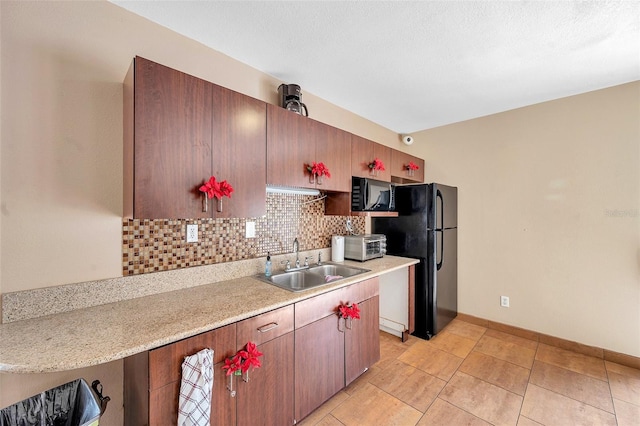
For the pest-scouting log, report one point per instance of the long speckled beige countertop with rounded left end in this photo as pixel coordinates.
(104, 333)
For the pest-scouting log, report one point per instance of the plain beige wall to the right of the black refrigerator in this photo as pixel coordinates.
(549, 214)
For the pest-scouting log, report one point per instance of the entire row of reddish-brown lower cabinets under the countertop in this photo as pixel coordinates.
(301, 366)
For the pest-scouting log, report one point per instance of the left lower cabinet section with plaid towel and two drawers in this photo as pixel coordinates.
(152, 378)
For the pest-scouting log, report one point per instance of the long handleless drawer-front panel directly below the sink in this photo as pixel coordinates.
(321, 306)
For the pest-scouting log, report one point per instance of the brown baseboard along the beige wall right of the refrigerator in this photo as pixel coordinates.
(605, 354)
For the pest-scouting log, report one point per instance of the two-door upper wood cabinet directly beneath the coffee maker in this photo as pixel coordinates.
(294, 141)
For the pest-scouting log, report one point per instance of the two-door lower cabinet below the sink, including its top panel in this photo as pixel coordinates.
(332, 352)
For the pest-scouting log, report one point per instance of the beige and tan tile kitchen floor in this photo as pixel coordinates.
(471, 375)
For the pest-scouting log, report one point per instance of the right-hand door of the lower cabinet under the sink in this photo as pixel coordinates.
(362, 341)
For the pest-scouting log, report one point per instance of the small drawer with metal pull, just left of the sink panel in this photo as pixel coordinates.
(265, 327)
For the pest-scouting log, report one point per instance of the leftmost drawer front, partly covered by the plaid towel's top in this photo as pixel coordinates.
(165, 363)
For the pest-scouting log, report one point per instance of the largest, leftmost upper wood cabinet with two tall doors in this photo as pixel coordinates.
(178, 131)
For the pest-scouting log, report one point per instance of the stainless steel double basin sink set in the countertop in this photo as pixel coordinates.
(314, 276)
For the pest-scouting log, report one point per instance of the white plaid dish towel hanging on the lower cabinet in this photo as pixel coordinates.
(194, 407)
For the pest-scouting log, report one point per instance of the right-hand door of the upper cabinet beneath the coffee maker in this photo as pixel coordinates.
(333, 148)
